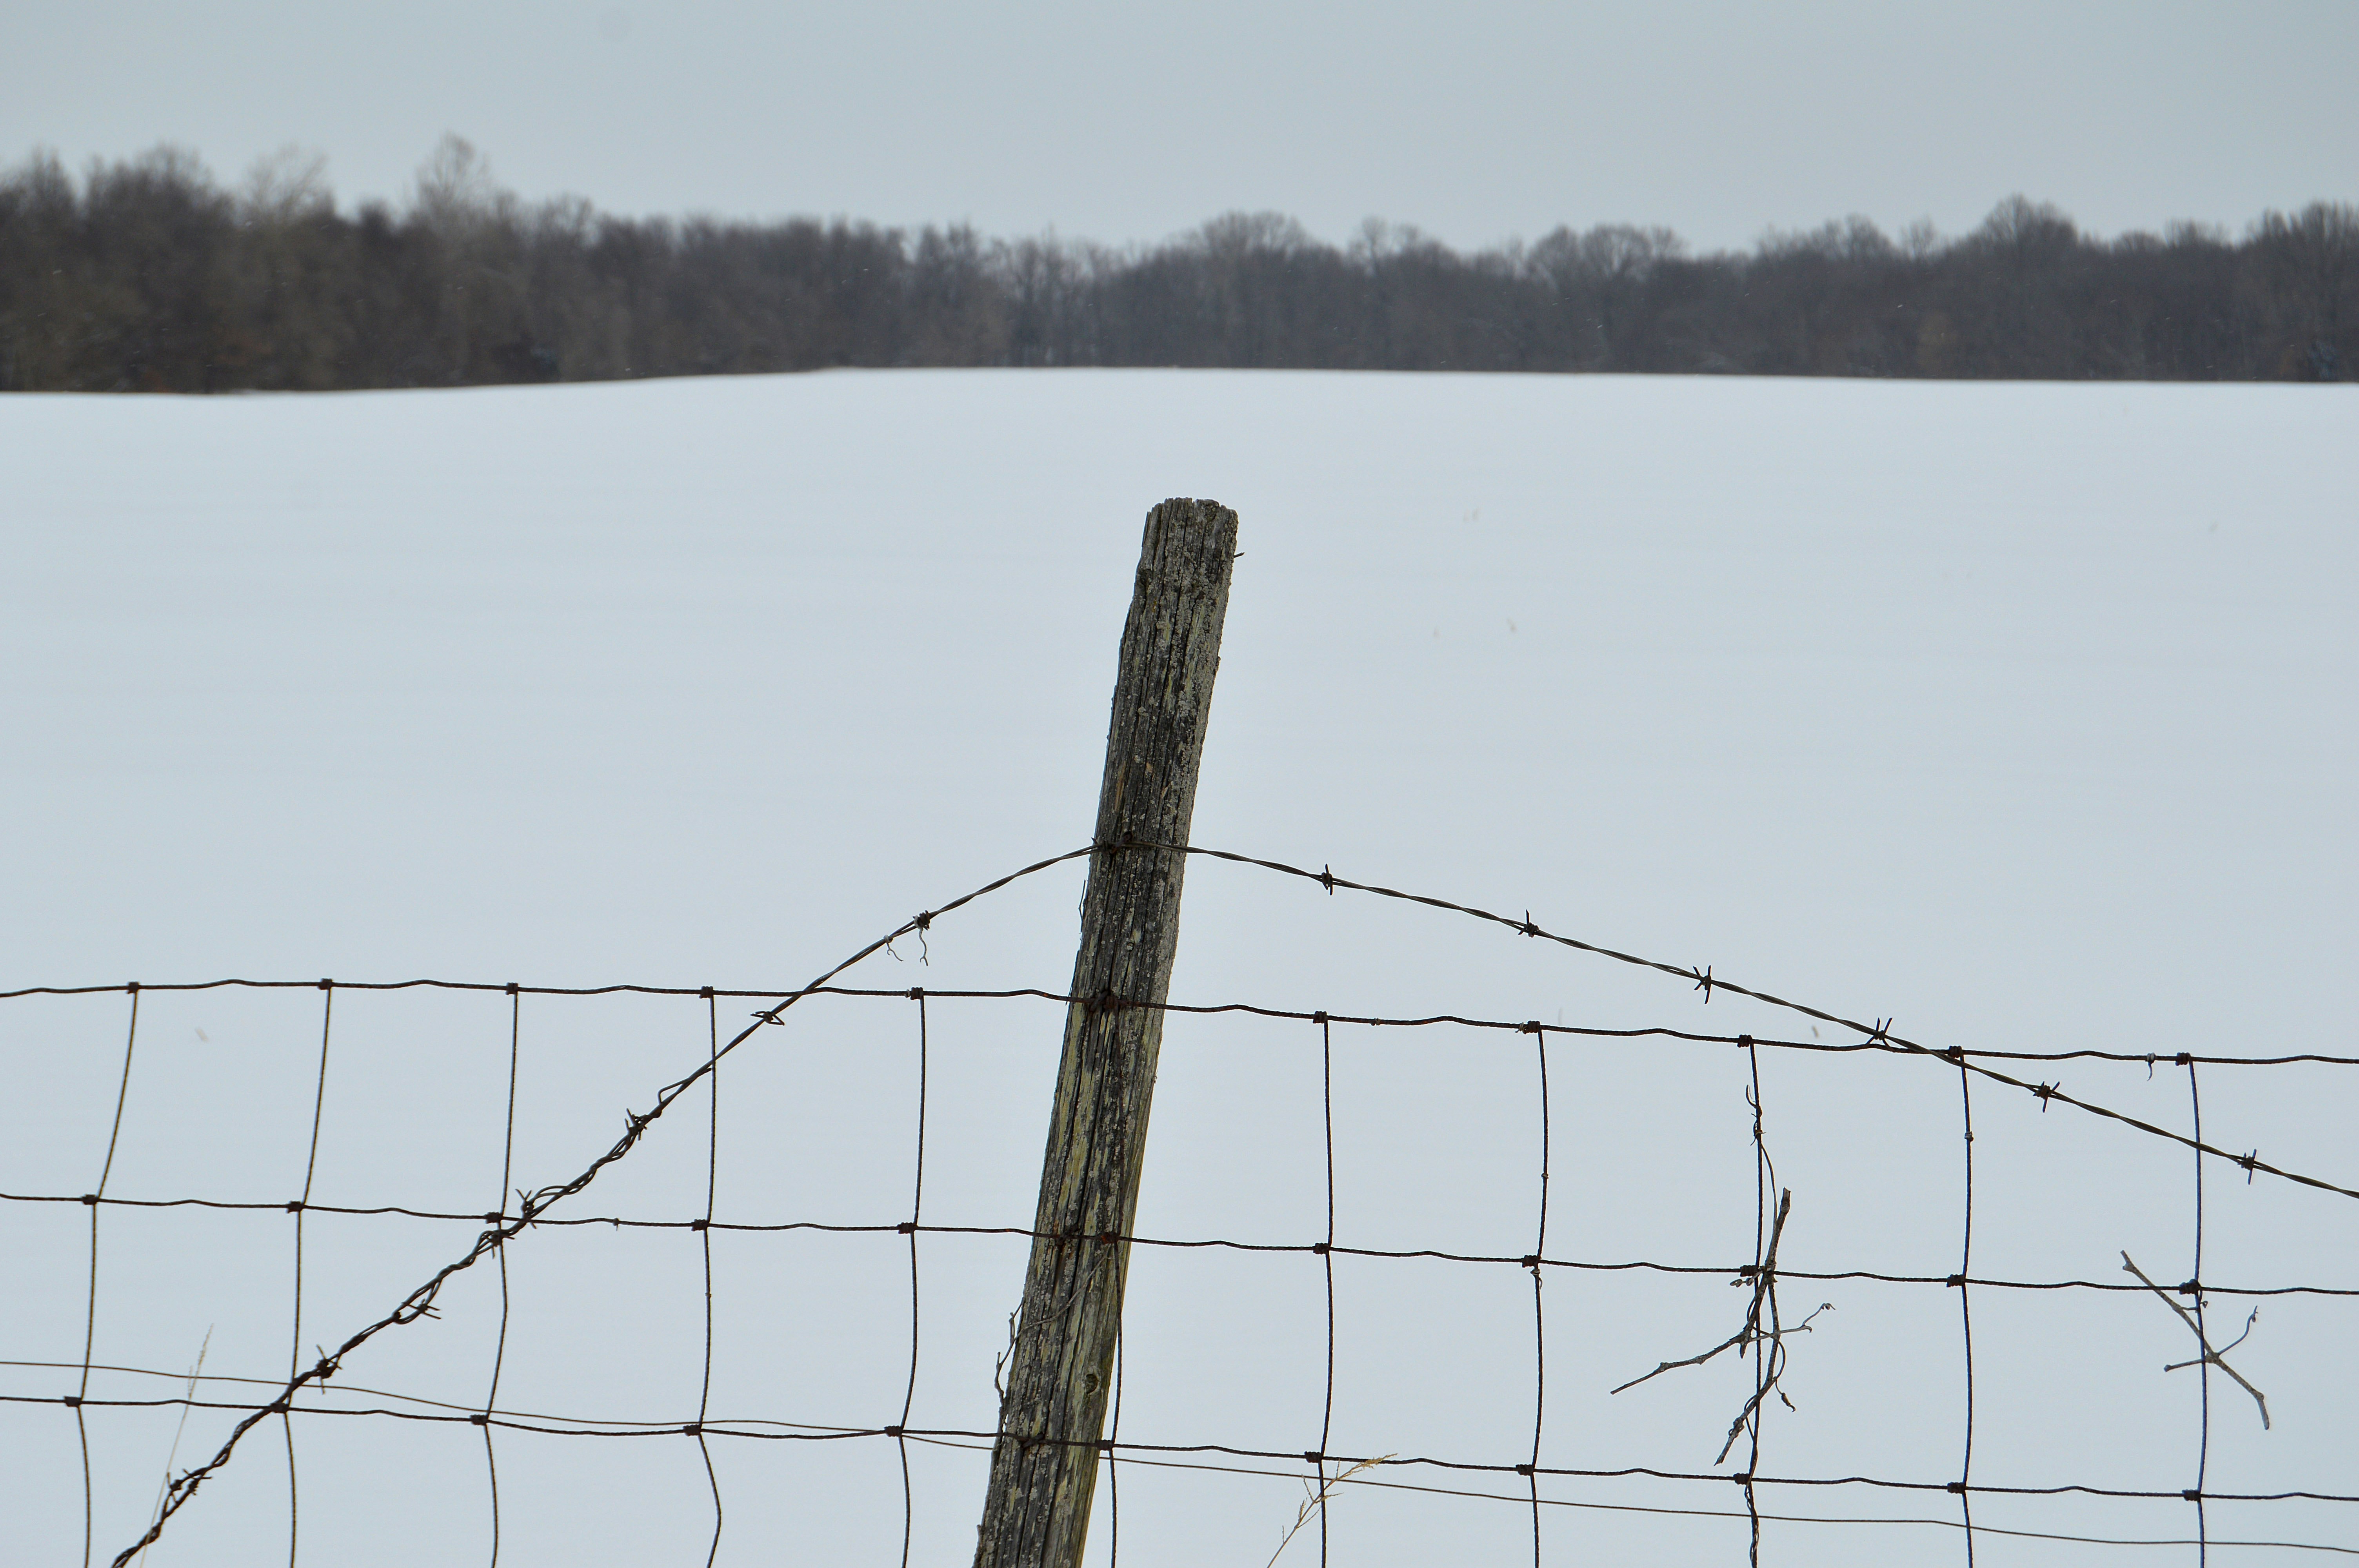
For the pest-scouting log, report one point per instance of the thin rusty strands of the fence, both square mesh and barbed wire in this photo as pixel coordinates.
(1761, 1333)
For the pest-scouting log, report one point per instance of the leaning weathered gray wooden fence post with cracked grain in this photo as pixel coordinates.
(1044, 1468)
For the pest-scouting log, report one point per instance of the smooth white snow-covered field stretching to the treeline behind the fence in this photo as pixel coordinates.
(2018, 716)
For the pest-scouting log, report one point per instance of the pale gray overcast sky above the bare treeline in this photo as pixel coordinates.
(1129, 124)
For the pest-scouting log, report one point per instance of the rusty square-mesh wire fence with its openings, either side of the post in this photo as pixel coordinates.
(1473, 1284)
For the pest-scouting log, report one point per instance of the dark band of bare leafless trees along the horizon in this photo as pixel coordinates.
(150, 277)
